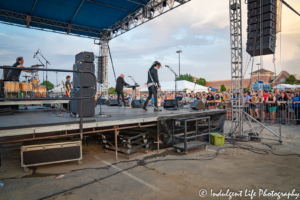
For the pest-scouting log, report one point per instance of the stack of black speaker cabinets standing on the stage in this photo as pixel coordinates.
(84, 61)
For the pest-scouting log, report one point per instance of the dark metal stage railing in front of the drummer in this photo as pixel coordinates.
(70, 98)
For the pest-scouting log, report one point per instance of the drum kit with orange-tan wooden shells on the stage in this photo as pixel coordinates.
(29, 88)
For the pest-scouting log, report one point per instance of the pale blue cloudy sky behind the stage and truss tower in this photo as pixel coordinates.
(199, 28)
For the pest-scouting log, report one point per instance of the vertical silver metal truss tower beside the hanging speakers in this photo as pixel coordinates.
(236, 43)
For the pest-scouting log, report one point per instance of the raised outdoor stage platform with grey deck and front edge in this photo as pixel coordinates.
(42, 123)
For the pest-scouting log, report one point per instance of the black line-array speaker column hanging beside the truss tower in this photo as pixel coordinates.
(261, 30)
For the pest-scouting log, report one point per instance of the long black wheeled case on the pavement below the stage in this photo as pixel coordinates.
(45, 154)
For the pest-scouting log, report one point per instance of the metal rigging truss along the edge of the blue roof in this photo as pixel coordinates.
(149, 11)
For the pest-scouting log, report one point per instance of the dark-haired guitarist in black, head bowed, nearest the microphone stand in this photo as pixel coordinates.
(153, 85)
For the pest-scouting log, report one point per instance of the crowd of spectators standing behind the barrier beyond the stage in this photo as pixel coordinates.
(264, 106)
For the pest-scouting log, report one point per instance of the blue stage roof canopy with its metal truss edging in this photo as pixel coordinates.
(95, 19)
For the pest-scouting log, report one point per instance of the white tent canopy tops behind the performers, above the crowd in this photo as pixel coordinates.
(169, 86)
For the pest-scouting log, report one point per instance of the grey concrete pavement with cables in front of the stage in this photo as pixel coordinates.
(163, 175)
